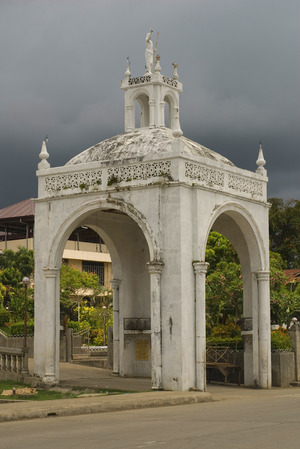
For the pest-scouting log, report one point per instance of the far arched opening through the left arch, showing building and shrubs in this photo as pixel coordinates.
(85, 291)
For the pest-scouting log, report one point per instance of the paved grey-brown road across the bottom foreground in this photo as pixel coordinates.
(258, 419)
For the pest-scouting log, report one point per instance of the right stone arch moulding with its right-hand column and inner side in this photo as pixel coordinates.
(242, 230)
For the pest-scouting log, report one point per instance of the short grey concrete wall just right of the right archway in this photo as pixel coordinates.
(283, 368)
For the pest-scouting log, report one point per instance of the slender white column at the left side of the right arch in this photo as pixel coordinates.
(200, 269)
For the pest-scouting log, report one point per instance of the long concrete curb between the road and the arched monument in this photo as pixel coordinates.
(102, 404)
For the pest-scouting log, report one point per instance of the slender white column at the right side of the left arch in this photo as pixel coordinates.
(155, 269)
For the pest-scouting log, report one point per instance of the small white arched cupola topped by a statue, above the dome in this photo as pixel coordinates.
(155, 95)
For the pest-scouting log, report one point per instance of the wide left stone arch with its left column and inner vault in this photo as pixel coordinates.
(131, 283)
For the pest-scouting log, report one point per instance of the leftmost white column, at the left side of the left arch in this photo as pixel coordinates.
(51, 330)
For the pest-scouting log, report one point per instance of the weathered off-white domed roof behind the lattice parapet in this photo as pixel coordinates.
(140, 144)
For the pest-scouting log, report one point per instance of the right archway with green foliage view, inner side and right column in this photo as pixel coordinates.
(237, 292)
